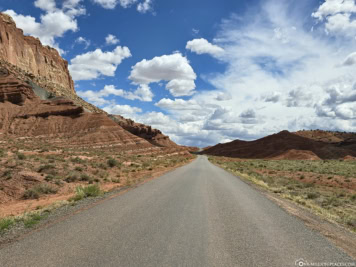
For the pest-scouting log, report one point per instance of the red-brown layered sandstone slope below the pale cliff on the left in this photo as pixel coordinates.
(24, 115)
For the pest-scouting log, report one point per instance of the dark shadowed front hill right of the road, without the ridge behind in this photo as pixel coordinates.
(283, 145)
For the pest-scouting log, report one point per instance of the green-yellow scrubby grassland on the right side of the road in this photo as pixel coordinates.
(325, 187)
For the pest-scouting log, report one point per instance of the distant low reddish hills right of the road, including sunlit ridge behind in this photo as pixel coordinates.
(303, 145)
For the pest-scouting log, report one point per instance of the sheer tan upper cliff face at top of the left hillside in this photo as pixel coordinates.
(29, 55)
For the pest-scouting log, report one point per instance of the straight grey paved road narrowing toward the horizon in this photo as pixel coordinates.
(197, 215)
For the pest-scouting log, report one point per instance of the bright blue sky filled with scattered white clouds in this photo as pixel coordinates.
(207, 71)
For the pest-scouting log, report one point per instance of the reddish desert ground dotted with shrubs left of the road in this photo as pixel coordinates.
(35, 173)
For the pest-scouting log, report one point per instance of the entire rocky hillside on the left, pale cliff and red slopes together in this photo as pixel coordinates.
(37, 99)
